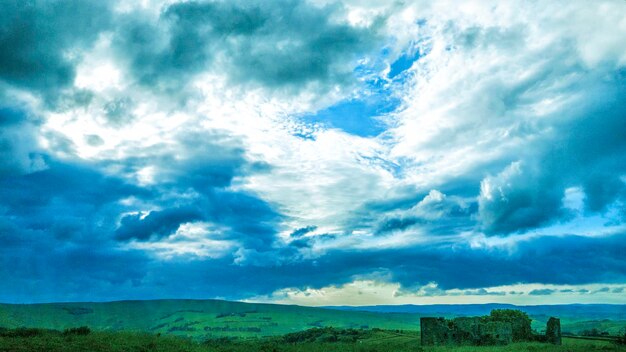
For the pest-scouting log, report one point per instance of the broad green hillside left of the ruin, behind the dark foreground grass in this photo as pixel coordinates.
(196, 318)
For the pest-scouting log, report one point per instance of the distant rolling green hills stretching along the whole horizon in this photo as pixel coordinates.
(202, 319)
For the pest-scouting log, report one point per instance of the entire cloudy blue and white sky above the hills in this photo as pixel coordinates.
(313, 152)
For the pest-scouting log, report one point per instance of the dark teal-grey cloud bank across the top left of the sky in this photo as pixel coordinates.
(278, 44)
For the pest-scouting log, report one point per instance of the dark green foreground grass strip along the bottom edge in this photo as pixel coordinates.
(367, 341)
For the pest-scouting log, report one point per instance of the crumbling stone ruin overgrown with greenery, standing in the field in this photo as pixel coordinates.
(496, 329)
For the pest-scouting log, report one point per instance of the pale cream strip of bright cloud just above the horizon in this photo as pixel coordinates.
(374, 292)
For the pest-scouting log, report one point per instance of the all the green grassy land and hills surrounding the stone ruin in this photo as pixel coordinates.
(214, 325)
